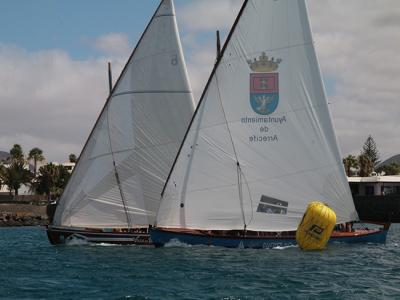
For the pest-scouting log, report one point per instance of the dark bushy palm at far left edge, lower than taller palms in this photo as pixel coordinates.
(15, 175)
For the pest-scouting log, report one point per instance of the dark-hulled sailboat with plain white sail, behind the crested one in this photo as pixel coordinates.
(113, 193)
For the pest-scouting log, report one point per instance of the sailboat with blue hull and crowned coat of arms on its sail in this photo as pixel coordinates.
(261, 145)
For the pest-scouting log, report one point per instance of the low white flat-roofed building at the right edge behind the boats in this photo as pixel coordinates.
(374, 185)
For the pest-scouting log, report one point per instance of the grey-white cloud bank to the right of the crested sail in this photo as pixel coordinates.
(358, 45)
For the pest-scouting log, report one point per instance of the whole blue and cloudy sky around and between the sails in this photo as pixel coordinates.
(54, 54)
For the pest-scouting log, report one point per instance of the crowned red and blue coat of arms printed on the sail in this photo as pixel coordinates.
(264, 84)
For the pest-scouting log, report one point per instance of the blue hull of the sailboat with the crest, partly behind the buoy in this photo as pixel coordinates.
(160, 237)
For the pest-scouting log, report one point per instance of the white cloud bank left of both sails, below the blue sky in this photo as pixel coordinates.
(49, 100)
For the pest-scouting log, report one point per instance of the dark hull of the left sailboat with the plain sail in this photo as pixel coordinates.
(63, 235)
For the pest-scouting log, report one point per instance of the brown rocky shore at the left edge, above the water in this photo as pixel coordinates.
(22, 215)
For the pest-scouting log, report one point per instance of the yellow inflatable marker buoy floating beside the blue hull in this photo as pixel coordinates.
(316, 227)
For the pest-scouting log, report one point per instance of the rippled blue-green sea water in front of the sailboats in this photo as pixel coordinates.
(31, 268)
